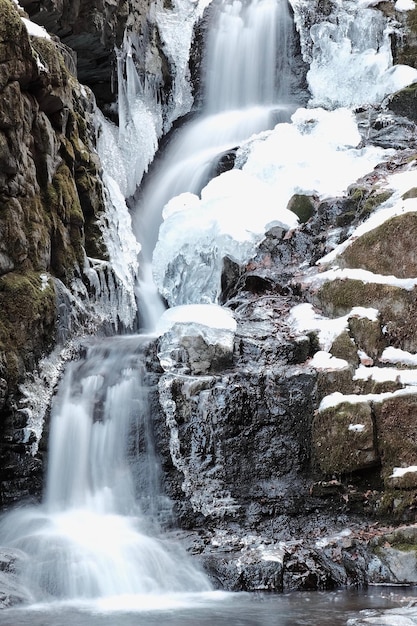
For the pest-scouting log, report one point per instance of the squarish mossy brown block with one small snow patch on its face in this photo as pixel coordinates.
(343, 439)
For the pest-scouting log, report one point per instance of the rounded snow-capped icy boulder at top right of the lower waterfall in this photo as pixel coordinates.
(196, 339)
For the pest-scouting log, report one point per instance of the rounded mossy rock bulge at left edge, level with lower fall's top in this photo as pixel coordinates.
(27, 321)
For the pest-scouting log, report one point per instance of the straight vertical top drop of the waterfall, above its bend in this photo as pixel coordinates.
(247, 56)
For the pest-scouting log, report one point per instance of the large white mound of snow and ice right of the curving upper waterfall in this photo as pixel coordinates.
(239, 206)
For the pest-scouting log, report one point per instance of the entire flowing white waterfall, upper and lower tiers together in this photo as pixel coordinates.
(96, 533)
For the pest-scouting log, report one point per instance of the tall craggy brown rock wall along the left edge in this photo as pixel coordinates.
(50, 198)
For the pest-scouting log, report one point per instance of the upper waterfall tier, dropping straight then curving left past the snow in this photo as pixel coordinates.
(246, 75)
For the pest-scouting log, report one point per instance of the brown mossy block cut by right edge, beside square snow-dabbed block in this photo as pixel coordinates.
(396, 420)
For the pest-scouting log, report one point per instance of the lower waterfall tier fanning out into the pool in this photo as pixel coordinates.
(96, 534)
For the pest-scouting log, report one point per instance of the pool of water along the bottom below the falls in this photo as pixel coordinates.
(214, 609)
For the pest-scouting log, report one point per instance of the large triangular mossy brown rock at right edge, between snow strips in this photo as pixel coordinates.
(389, 249)
